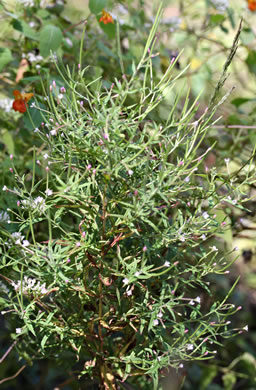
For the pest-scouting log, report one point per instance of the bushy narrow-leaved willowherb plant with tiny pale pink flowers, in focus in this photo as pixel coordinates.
(107, 272)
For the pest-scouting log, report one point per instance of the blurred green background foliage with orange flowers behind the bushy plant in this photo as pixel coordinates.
(201, 34)
